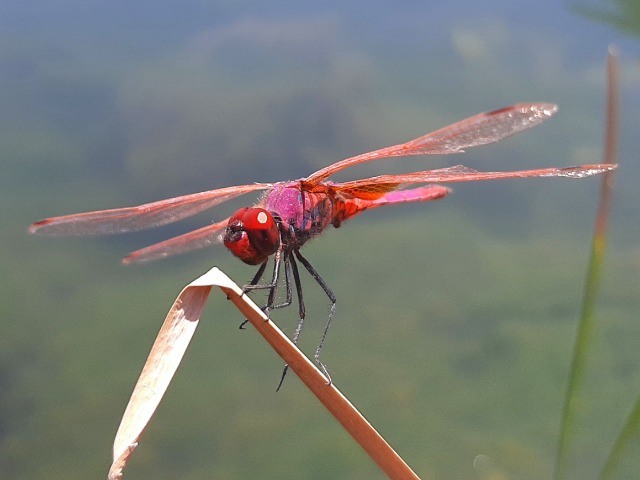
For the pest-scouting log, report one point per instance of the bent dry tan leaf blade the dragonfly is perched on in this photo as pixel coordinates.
(172, 342)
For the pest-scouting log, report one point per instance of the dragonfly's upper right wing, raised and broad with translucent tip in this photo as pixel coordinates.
(480, 129)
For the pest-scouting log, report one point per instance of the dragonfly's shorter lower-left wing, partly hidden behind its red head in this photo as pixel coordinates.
(200, 238)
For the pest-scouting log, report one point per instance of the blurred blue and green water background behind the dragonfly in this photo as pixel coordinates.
(455, 319)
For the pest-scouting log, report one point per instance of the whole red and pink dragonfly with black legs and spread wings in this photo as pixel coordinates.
(290, 213)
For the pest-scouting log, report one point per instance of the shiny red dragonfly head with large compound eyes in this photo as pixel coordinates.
(252, 235)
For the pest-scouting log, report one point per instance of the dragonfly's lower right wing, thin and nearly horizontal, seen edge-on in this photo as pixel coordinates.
(461, 173)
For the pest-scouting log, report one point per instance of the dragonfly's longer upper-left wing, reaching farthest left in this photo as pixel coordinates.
(121, 220)
